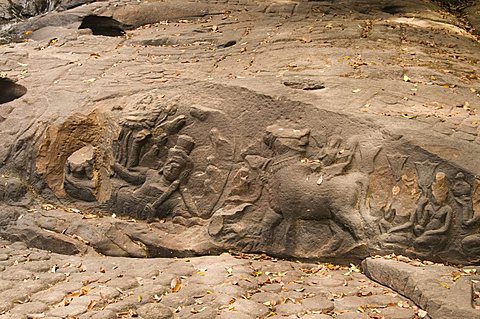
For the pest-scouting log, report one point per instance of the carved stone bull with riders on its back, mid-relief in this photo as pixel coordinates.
(301, 189)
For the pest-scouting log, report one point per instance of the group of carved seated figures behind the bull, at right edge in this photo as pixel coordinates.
(444, 214)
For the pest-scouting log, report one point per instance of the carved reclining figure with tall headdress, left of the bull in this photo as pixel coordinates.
(163, 192)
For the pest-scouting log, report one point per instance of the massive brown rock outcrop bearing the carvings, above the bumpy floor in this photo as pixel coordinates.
(312, 129)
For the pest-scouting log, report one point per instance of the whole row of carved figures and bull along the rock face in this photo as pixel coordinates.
(285, 192)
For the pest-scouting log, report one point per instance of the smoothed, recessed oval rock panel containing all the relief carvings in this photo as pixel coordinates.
(257, 174)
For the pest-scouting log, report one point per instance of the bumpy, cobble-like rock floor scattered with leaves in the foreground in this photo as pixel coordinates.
(39, 284)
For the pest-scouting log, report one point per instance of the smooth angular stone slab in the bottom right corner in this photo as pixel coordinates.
(442, 291)
